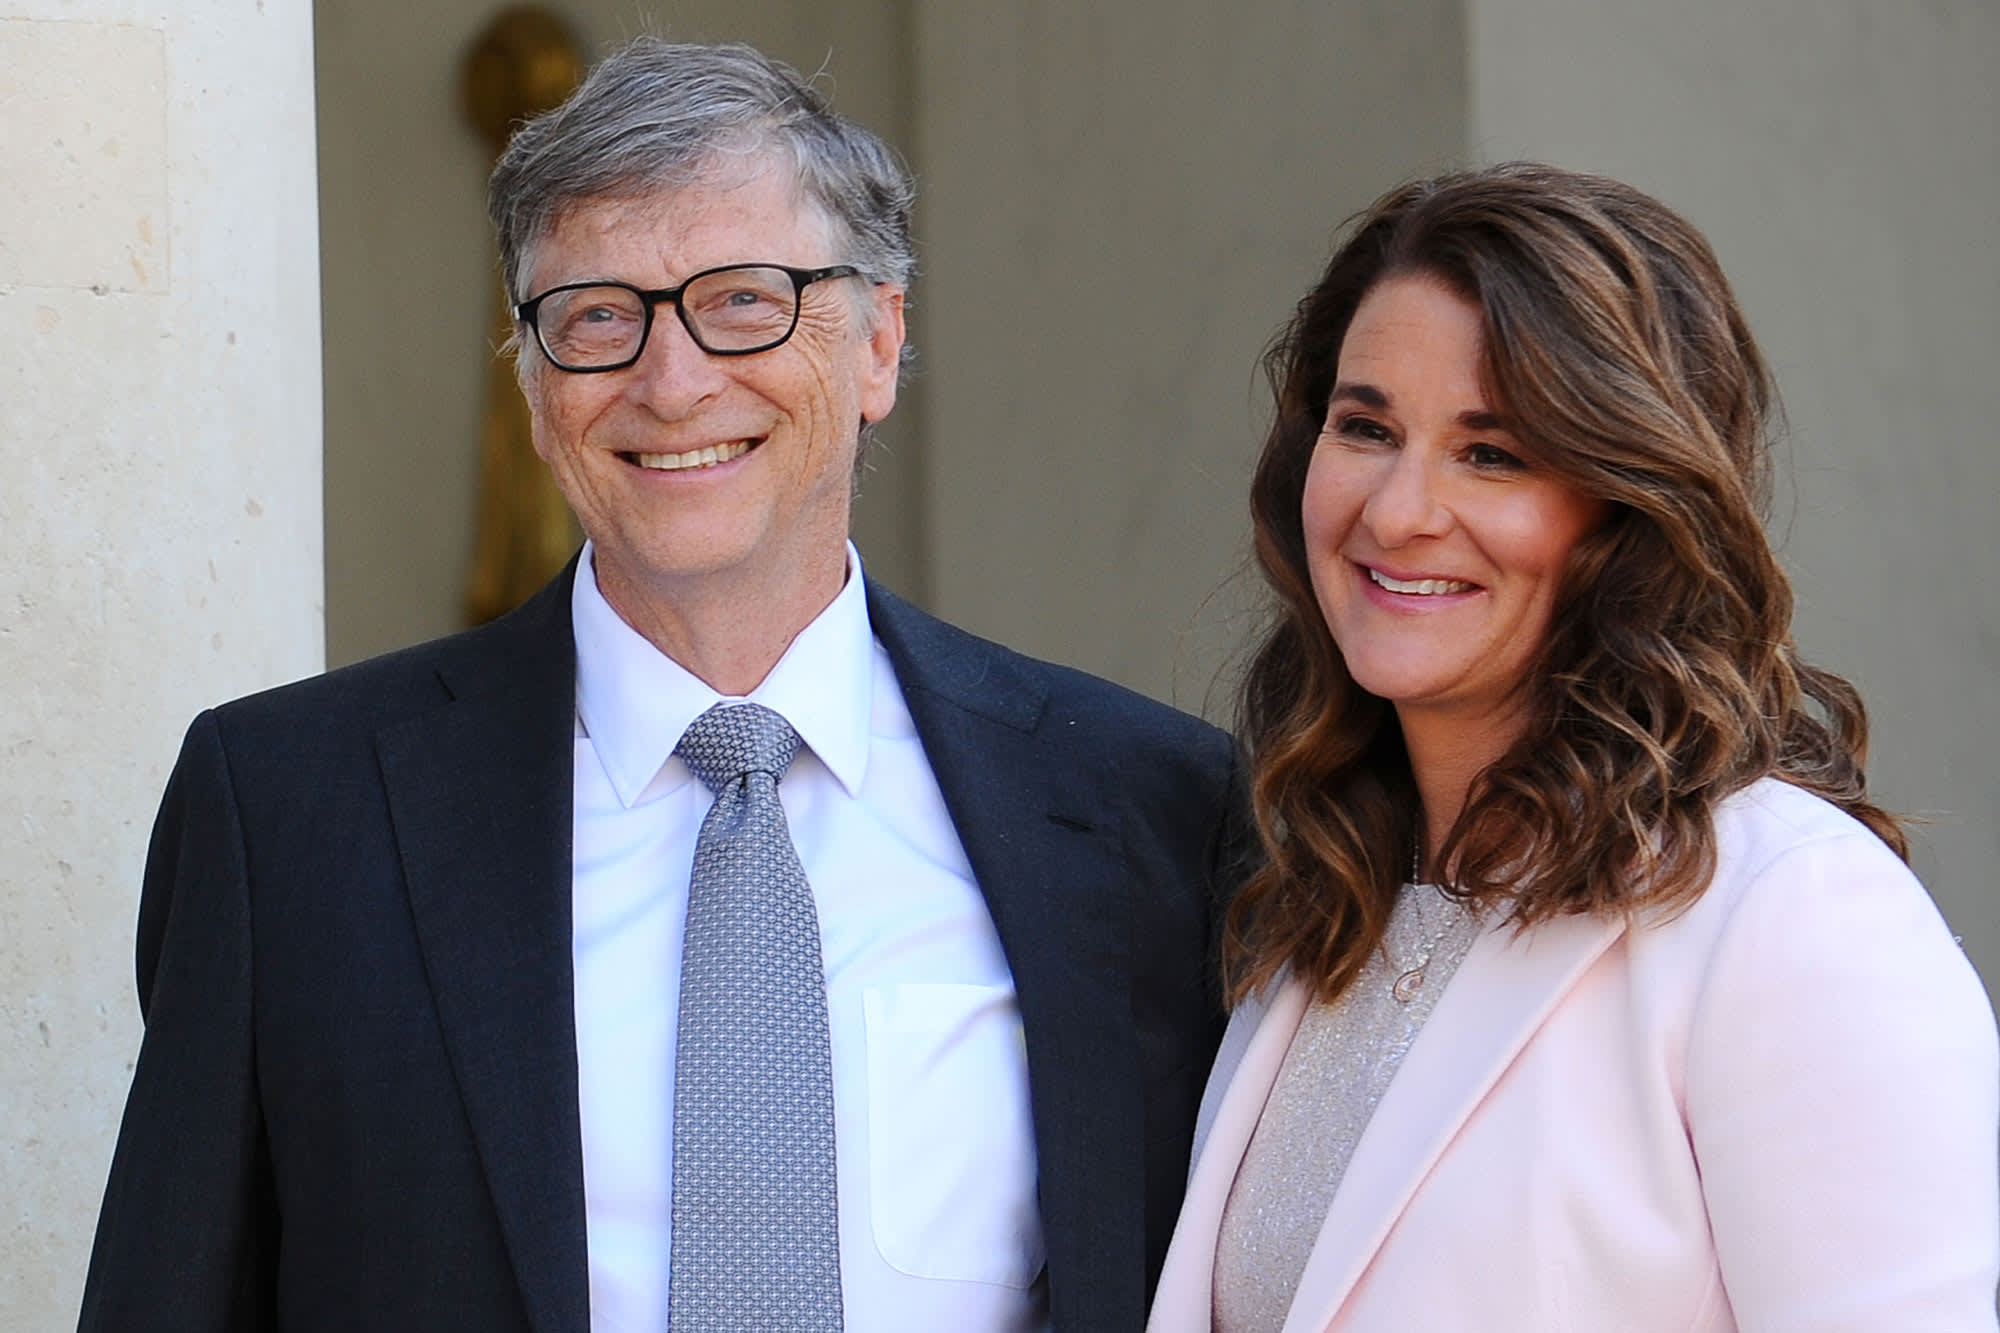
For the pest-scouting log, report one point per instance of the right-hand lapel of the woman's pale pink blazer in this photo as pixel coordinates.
(1503, 992)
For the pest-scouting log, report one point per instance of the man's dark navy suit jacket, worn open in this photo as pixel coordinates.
(357, 1098)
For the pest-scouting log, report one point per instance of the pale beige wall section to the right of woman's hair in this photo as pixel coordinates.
(1841, 159)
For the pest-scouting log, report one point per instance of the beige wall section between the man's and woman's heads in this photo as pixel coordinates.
(1121, 205)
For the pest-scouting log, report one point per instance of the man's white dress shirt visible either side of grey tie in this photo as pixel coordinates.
(935, 1146)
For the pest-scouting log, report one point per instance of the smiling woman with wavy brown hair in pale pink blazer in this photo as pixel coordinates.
(1585, 988)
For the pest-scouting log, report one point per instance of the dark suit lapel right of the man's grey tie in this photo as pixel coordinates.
(1049, 858)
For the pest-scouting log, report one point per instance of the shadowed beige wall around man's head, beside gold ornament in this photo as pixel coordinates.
(409, 271)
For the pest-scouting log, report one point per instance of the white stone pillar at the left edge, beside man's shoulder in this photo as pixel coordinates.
(161, 515)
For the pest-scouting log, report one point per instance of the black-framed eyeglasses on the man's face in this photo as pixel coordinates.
(731, 311)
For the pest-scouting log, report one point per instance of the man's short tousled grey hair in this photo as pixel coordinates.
(661, 115)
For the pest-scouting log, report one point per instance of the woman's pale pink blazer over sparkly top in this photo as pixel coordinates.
(1775, 1112)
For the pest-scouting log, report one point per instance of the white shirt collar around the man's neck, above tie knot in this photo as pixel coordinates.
(635, 702)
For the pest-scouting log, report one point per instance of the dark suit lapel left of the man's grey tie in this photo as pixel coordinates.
(481, 796)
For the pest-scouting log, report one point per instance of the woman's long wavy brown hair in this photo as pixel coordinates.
(1669, 678)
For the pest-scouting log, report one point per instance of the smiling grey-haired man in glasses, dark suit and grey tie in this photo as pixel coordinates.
(441, 1034)
